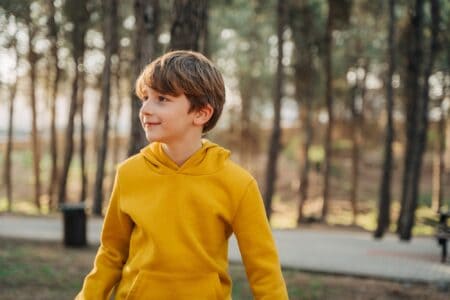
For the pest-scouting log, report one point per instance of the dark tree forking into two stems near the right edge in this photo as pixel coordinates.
(417, 115)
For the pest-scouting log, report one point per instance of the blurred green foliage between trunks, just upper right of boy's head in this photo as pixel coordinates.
(242, 35)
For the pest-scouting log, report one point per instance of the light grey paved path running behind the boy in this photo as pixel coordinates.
(347, 253)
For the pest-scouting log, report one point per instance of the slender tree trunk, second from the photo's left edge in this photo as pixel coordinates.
(32, 58)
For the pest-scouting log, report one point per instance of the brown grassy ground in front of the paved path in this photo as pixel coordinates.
(43, 270)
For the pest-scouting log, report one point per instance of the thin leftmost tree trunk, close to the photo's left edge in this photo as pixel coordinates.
(7, 176)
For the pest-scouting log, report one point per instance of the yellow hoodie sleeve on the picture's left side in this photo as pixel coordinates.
(112, 253)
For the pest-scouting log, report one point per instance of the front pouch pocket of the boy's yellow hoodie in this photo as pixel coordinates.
(165, 286)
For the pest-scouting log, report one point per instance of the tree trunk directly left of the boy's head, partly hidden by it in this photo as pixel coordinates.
(145, 43)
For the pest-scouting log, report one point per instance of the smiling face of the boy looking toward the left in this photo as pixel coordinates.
(166, 118)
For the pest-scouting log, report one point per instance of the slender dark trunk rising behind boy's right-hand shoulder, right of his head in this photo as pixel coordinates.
(274, 146)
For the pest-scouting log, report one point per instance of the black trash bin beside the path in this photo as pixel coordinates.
(74, 219)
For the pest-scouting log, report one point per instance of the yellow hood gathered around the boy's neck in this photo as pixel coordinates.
(208, 159)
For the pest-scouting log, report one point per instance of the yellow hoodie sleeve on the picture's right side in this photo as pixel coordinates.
(257, 247)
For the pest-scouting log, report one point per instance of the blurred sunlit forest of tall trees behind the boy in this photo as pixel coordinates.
(339, 108)
